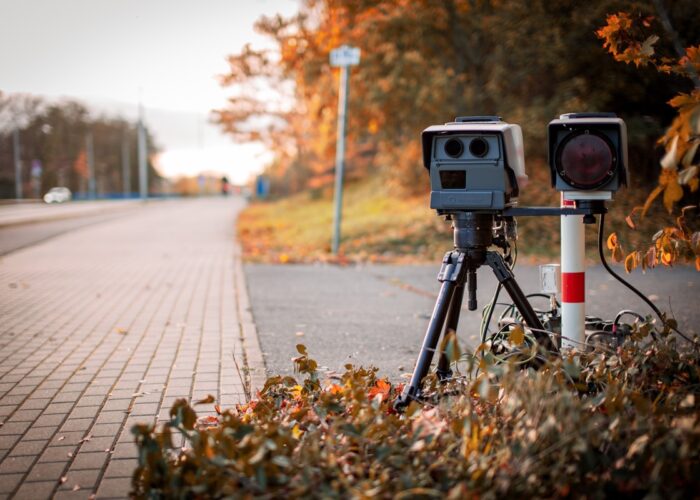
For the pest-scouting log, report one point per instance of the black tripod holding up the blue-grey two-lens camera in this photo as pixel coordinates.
(473, 235)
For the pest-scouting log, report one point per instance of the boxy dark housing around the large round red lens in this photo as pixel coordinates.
(588, 155)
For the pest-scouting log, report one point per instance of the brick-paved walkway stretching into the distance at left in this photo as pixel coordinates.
(106, 326)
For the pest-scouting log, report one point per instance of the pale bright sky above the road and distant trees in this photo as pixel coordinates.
(167, 53)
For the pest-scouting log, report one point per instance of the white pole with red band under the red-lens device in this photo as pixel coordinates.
(573, 277)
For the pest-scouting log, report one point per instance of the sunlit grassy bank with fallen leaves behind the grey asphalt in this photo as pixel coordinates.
(379, 225)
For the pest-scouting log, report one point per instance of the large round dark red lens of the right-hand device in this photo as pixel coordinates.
(585, 160)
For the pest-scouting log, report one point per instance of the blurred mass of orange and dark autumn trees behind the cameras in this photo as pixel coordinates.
(423, 63)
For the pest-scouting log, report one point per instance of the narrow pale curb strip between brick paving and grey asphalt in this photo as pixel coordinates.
(255, 362)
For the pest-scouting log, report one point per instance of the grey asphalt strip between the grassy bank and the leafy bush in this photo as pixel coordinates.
(377, 314)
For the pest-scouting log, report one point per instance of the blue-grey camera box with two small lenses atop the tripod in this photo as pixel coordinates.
(475, 163)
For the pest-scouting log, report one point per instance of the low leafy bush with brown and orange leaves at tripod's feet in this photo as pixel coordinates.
(610, 422)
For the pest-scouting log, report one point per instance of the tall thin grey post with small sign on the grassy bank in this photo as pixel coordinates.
(342, 57)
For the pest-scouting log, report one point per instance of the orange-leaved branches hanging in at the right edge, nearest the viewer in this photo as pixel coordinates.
(635, 37)
